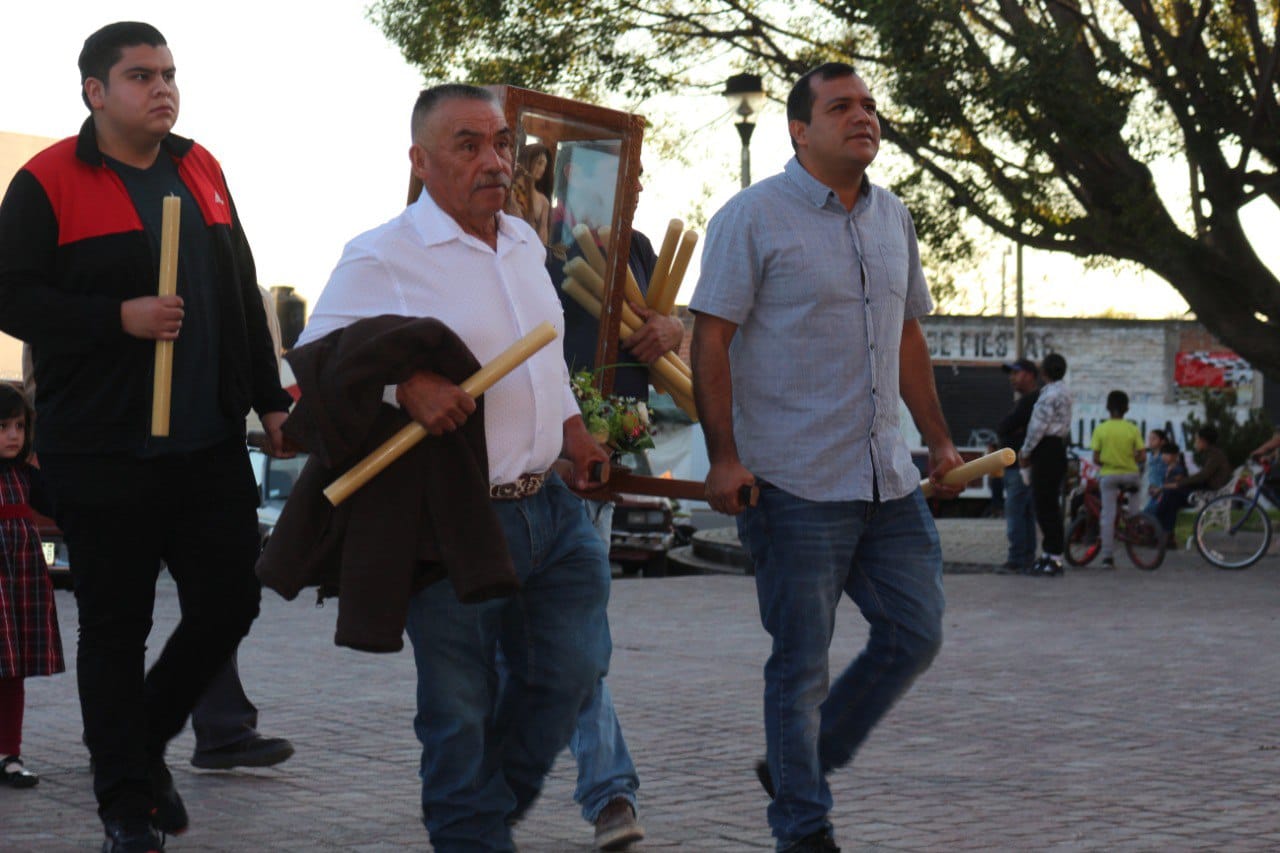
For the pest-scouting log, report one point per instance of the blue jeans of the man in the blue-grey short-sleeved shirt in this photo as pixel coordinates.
(886, 558)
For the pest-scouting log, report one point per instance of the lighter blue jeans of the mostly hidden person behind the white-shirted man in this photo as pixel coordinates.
(605, 767)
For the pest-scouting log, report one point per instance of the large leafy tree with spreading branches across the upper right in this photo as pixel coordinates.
(1040, 118)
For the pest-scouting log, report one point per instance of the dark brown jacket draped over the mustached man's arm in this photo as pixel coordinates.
(424, 518)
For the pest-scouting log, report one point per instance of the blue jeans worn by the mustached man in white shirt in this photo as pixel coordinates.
(486, 751)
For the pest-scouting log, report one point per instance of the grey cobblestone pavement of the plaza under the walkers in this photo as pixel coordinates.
(1101, 711)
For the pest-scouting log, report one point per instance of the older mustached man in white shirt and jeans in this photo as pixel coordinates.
(455, 257)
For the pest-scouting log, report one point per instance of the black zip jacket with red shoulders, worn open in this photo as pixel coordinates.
(72, 250)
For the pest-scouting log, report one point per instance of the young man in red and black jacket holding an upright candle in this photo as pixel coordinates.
(80, 238)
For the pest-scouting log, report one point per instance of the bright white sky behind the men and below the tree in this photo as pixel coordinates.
(307, 106)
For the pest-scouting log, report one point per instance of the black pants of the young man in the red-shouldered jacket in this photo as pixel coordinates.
(124, 517)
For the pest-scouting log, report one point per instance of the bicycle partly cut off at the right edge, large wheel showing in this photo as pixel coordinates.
(1235, 531)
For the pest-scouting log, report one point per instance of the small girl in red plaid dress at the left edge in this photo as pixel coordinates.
(30, 644)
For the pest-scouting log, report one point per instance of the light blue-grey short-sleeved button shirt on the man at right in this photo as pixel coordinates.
(820, 295)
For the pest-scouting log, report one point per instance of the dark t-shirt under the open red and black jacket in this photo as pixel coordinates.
(196, 419)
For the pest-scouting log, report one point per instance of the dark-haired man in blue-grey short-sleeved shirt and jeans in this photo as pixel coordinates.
(807, 337)
